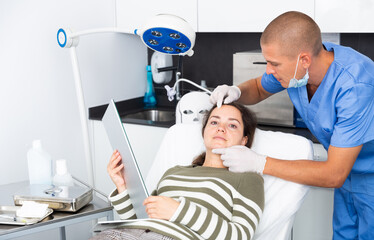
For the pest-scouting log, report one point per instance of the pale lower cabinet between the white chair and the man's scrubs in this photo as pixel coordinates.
(314, 218)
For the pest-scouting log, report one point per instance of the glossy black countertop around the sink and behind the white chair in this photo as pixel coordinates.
(136, 105)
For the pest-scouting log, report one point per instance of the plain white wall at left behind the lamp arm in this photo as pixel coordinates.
(37, 93)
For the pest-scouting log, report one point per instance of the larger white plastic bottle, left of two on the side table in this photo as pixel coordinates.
(39, 164)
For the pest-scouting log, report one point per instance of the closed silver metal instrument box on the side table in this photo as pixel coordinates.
(66, 198)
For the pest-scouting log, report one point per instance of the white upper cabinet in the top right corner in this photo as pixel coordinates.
(345, 15)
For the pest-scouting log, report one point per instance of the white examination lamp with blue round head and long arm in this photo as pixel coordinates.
(164, 33)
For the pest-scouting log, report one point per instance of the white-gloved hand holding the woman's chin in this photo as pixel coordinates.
(241, 159)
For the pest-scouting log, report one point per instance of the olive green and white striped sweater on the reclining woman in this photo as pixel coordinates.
(214, 204)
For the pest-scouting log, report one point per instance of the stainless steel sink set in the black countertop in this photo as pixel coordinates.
(154, 115)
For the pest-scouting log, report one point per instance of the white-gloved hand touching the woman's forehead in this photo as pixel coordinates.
(225, 94)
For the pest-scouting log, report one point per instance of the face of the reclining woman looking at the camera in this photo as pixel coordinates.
(224, 128)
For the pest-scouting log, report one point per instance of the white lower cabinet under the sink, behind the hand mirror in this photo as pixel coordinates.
(145, 142)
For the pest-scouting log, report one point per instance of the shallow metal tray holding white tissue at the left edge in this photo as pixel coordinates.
(8, 216)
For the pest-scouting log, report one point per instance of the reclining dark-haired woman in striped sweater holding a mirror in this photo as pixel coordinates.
(200, 201)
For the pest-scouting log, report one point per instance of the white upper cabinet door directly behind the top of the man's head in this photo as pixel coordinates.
(244, 15)
